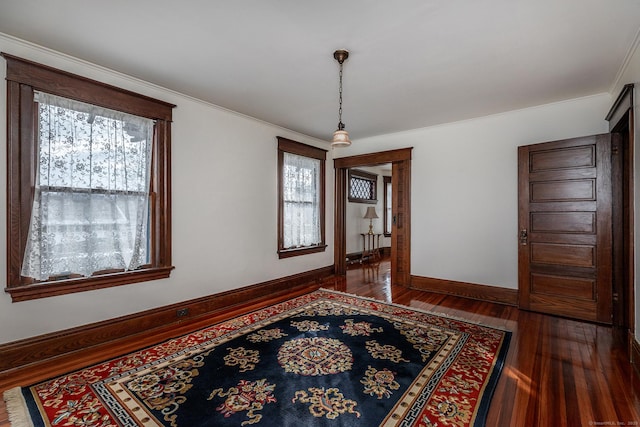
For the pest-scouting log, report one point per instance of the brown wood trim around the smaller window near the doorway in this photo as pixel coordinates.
(294, 147)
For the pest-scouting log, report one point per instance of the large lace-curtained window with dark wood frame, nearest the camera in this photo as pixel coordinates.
(88, 178)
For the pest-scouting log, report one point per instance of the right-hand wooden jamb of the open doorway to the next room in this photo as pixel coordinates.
(400, 223)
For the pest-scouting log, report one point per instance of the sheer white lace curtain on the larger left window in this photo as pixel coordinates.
(90, 207)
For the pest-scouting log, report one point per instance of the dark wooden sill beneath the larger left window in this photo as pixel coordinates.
(68, 286)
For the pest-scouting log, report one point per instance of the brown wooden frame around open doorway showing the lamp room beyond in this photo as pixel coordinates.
(401, 209)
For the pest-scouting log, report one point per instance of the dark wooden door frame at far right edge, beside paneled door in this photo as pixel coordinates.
(621, 122)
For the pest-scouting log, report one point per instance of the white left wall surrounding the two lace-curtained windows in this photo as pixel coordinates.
(224, 210)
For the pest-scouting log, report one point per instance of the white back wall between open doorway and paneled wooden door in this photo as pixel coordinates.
(464, 186)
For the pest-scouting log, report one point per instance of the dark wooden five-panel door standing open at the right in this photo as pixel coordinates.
(564, 219)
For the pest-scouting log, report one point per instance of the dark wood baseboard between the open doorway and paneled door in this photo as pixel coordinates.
(467, 290)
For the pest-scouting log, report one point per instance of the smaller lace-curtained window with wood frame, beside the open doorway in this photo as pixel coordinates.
(301, 194)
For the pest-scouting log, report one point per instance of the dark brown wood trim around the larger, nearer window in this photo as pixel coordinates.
(23, 78)
